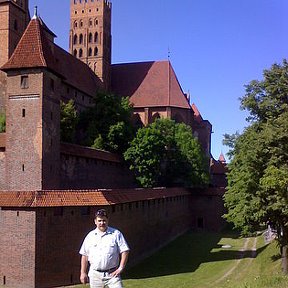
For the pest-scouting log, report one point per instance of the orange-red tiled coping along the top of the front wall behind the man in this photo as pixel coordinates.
(84, 197)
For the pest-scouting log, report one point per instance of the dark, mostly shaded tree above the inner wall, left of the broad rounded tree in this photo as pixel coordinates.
(107, 124)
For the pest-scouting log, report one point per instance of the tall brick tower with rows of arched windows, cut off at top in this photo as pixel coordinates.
(90, 35)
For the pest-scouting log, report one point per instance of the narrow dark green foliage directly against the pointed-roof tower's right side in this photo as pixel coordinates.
(68, 121)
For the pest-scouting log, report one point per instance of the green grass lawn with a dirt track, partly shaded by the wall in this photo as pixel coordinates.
(198, 260)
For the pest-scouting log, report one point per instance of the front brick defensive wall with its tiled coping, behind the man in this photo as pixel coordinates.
(42, 231)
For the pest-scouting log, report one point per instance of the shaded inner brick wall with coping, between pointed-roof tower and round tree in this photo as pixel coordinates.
(86, 168)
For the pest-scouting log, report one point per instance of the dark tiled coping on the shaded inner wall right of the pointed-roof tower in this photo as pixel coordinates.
(87, 152)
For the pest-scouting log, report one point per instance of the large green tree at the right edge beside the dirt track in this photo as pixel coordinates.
(257, 190)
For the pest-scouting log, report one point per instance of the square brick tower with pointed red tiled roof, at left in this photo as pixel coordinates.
(33, 112)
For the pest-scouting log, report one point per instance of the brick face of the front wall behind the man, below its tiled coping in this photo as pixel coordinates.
(59, 231)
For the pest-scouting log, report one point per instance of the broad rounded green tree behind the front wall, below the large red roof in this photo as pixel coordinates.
(167, 154)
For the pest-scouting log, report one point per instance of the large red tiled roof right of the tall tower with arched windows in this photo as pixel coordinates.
(148, 84)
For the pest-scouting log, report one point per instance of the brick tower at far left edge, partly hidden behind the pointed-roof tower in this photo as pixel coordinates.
(14, 18)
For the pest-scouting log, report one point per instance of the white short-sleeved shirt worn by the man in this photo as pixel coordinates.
(103, 250)
